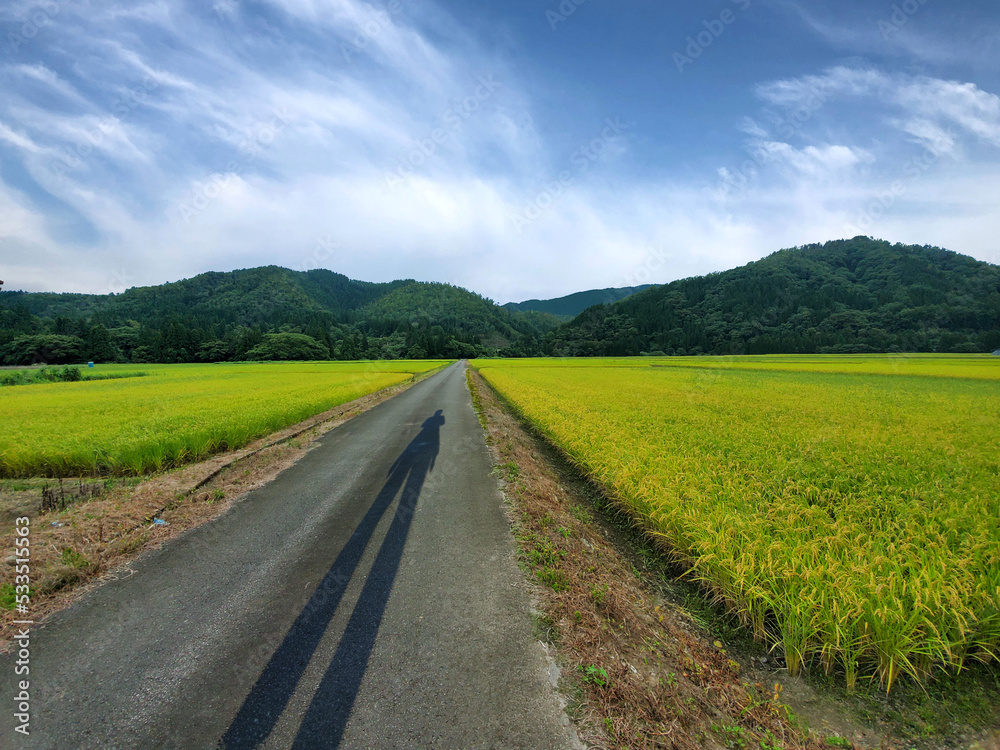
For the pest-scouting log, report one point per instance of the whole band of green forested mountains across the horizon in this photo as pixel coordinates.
(850, 296)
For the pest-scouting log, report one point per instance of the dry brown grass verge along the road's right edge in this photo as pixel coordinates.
(669, 685)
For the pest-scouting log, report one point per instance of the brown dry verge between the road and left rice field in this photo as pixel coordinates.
(97, 536)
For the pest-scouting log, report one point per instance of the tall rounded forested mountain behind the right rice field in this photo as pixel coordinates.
(848, 296)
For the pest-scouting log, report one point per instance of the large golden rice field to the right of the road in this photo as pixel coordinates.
(846, 508)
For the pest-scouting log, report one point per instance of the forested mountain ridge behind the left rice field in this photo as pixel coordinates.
(223, 316)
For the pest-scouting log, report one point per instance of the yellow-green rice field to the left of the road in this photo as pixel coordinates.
(177, 413)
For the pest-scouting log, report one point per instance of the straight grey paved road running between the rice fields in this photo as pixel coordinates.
(367, 598)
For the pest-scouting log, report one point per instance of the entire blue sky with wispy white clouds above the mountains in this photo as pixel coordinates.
(517, 148)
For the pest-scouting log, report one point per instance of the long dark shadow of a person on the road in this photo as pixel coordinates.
(327, 716)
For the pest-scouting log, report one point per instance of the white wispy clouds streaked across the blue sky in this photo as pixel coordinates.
(157, 140)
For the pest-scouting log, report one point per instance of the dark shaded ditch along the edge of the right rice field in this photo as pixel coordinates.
(961, 703)
